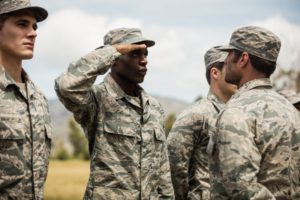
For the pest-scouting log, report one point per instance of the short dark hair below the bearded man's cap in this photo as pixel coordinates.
(260, 64)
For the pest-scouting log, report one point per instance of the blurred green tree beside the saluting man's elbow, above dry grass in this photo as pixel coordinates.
(78, 141)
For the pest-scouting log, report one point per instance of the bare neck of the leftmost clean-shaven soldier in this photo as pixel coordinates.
(13, 67)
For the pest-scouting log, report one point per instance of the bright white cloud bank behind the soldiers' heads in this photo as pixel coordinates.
(176, 65)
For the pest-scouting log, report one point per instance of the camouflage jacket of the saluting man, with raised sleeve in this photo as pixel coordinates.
(127, 142)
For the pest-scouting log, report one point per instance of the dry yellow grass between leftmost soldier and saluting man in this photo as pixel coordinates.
(66, 180)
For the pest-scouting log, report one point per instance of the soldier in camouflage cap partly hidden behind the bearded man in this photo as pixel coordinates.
(189, 136)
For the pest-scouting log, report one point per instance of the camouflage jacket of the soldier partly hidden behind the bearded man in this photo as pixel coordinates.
(187, 144)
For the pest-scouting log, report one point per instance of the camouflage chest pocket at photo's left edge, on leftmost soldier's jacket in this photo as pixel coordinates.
(12, 162)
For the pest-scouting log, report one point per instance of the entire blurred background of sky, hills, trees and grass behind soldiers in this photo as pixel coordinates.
(183, 31)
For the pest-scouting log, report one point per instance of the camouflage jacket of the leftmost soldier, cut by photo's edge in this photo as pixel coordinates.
(25, 139)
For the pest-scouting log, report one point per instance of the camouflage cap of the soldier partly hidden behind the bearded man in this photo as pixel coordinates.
(214, 55)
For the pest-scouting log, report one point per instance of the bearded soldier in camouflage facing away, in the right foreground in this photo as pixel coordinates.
(257, 133)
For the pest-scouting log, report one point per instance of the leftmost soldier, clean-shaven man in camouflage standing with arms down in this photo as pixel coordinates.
(25, 130)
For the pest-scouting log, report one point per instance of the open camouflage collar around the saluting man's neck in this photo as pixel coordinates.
(116, 91)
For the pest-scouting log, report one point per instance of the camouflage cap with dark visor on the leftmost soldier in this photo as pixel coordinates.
(8, 6)
